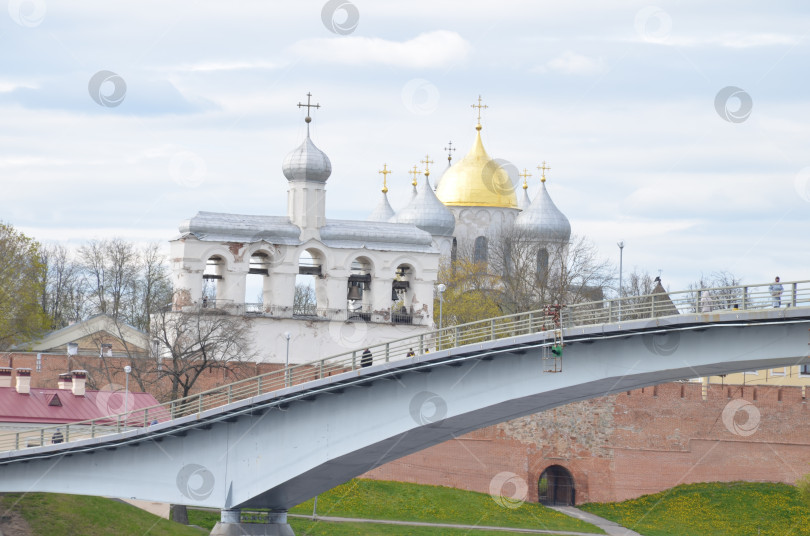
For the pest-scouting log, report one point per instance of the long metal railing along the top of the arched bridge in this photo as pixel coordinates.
(650, 307)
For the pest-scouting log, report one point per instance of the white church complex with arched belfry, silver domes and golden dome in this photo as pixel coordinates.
(374, 280)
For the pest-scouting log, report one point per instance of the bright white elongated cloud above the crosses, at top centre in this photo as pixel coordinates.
(428, 50)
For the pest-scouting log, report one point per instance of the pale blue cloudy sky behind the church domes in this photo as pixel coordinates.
(679, 128)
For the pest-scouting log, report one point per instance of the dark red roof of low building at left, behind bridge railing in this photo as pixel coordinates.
(39, 406)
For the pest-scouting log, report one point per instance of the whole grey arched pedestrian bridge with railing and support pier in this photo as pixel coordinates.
(276, 440)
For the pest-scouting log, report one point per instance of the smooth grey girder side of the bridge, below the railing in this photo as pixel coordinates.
(278, 451)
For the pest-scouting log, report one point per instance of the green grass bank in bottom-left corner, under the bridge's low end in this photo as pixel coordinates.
(51, 514)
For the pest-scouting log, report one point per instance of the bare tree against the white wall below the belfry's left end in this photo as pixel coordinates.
(193, 342)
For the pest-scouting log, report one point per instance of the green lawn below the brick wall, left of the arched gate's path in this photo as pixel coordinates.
(373, 499)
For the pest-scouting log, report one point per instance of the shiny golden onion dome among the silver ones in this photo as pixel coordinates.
(477, 180)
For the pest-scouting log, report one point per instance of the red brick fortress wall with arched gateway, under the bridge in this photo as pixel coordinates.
(622, 446)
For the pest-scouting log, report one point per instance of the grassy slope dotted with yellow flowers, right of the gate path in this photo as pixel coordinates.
(716, 509)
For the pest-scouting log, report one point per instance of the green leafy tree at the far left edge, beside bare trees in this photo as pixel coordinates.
(22, 283)
